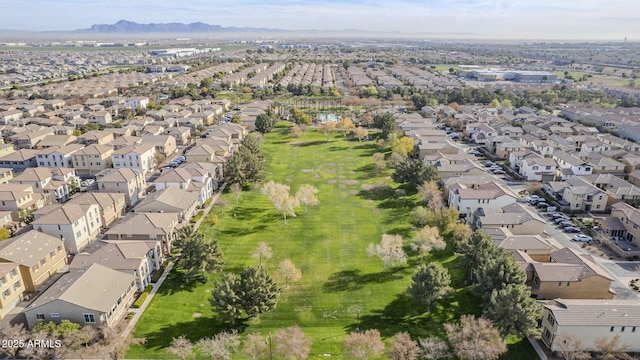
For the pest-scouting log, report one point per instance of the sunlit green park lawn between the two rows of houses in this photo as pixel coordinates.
(327, 243)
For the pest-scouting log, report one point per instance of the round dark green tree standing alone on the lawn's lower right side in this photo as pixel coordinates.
(430, 283)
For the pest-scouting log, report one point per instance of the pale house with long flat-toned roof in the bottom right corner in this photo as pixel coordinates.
(590, 321)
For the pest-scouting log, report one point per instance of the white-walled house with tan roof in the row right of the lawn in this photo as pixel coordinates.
(467, 199)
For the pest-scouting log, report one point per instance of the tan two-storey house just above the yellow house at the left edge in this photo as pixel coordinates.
(38, 257)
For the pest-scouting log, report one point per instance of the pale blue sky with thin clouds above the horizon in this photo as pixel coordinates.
(508, 19)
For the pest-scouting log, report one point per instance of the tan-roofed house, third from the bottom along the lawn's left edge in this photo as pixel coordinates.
(146, 227)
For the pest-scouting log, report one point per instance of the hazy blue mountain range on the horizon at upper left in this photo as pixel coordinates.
(125, 26)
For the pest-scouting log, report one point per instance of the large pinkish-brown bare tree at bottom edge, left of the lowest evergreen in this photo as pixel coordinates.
(475, 339)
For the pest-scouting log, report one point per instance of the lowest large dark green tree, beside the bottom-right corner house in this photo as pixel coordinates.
(514, 311)
